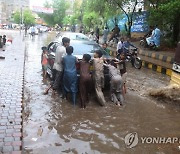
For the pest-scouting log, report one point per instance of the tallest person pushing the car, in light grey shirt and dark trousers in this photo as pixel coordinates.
(58, 66)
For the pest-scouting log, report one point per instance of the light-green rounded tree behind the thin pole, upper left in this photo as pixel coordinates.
(27, 17)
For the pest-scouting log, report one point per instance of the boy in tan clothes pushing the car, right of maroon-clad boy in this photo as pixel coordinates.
(98, 76)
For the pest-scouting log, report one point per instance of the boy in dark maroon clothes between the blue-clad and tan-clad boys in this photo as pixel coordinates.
(85, 80)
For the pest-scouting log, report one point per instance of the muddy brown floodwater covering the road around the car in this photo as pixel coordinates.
(53, 126)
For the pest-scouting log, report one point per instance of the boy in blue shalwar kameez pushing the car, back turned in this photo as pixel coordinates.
(70, 74)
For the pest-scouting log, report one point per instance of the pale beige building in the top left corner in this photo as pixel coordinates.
(8, 7)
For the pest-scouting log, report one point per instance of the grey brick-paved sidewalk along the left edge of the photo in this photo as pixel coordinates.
(11, 93)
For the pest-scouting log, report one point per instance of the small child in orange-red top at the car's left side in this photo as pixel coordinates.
(44, 62)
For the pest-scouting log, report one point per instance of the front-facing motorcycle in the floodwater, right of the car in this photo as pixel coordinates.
(131, 55)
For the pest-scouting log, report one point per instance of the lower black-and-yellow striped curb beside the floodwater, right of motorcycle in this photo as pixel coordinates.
(157, 68)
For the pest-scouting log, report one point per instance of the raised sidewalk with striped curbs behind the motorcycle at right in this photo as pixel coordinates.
(160, 61)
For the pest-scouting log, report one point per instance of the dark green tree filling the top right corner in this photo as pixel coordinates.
(166, 15)
